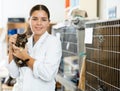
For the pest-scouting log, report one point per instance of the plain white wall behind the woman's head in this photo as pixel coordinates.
(20, 8)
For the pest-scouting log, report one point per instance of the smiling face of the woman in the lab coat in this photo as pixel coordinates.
(39, 22)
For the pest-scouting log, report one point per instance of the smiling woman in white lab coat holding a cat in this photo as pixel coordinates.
(42, 52)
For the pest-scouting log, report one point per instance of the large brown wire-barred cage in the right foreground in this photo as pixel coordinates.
(103, 56)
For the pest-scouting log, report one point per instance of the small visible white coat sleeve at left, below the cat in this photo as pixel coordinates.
(13, 69)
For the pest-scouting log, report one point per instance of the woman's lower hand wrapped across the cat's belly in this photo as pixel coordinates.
(20, 52)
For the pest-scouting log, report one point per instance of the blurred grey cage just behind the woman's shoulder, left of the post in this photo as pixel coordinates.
(68, 39)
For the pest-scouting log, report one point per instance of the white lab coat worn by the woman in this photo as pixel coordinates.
(47, 54)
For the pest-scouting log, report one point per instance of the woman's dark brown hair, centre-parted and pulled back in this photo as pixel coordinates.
(40, 7)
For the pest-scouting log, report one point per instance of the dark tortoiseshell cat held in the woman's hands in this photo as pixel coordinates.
(20, 42)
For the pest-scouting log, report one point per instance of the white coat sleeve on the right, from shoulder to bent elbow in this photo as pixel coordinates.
(47, 69)
